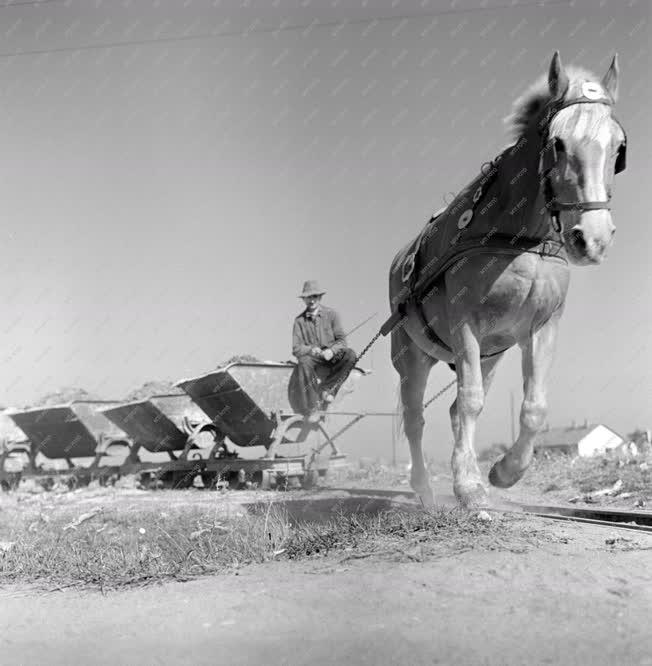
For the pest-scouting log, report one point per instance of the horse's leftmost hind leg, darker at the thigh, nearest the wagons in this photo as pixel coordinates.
(413, 366)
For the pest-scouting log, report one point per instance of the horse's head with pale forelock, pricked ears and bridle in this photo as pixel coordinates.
(583, 147)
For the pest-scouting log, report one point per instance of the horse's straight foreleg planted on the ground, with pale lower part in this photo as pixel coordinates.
(467, 480)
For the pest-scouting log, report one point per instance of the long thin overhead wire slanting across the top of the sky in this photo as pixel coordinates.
(281, 28)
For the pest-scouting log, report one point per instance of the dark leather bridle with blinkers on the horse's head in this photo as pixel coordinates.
(549, 161)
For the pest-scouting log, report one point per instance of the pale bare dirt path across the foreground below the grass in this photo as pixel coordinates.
(576, 600)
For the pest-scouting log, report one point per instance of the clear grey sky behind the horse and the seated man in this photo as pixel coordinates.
(172, 172)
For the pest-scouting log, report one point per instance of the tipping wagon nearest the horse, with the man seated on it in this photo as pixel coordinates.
(247, 404)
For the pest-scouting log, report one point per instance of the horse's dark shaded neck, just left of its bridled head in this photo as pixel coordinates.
(521, 191)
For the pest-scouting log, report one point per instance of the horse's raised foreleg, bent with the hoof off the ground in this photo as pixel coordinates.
(537, 360)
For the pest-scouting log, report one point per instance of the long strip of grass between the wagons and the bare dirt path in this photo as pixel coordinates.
(116, 548)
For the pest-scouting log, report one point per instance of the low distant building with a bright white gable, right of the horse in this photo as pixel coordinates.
(586, 440)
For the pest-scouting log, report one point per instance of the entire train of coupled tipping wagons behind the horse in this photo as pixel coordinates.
(231, 426)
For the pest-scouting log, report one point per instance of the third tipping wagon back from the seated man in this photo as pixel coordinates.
(66, 433)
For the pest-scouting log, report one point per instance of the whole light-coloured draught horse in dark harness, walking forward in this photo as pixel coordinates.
(491, 270)
